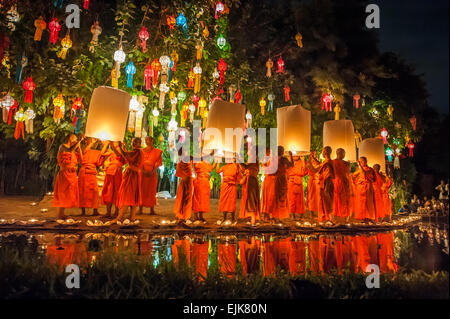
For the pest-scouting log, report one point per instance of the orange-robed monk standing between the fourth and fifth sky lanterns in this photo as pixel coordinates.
(364, 200)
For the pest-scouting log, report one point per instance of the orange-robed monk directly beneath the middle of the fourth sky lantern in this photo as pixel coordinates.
(342, 191)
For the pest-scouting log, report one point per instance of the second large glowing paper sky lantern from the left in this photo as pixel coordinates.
(221, 116)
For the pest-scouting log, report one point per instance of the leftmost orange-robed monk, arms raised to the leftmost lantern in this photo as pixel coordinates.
(66, 193)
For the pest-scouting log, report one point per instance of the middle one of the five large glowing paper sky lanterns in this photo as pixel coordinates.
(294, 129)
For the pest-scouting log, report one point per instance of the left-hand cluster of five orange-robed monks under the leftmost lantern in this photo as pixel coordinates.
(134, 188)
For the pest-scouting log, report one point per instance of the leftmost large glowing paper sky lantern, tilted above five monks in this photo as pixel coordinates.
(108, 113)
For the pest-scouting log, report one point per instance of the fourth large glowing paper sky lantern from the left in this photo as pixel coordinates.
(340, 134)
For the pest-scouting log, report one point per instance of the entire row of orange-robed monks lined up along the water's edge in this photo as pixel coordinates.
(333, 194)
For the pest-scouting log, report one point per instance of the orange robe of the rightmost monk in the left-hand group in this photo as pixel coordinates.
(150, 160)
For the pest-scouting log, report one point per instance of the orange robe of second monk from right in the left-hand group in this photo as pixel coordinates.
(129, 188)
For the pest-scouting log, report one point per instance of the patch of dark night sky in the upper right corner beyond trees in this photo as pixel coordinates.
(418, 30)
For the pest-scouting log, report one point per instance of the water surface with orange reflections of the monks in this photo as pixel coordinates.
(425, 247)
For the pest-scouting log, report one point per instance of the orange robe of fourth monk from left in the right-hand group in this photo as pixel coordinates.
(250, 203)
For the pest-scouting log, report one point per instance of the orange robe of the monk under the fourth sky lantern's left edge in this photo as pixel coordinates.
(326, 191)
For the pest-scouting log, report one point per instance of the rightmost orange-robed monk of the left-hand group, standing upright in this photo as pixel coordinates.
(151, 160)
